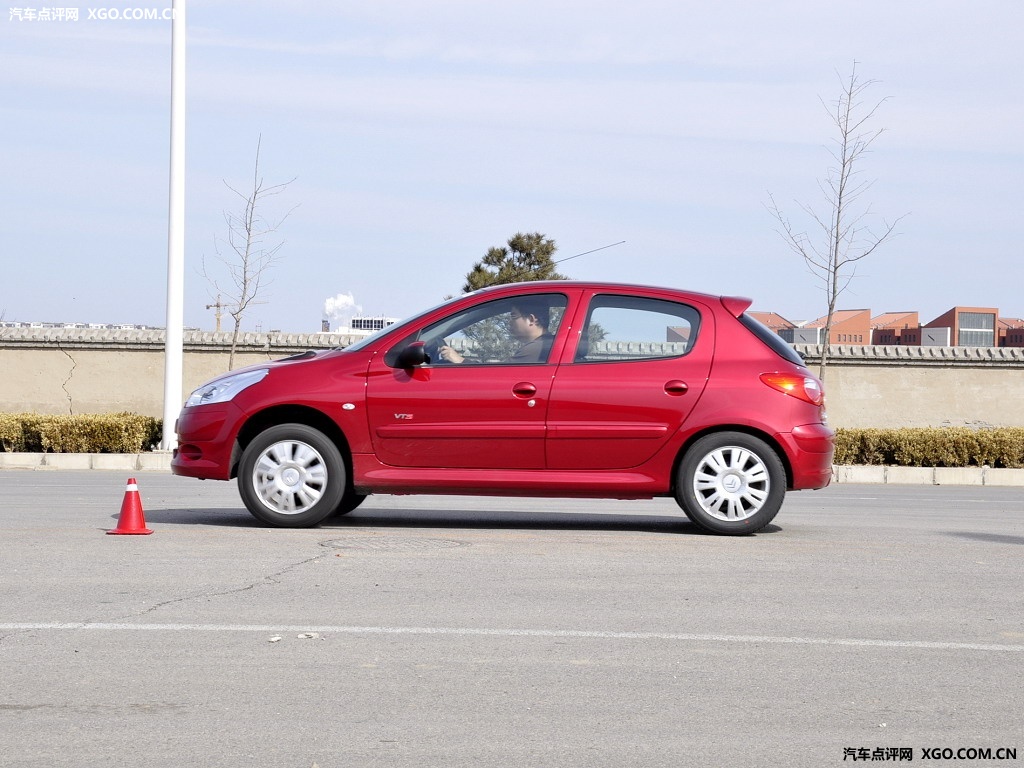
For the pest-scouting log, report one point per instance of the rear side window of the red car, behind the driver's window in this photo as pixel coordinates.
(631, 328)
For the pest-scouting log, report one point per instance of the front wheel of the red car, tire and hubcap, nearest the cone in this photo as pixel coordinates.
(292, 477)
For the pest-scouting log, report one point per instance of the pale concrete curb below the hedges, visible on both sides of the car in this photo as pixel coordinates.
(160, 461)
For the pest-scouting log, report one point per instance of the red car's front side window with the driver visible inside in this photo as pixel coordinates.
(511, 331)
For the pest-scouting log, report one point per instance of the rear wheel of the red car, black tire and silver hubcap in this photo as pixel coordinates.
(732, 484)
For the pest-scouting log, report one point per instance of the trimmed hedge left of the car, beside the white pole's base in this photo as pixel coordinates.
(91, 434)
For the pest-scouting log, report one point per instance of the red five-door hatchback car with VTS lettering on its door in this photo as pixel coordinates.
(546, 390)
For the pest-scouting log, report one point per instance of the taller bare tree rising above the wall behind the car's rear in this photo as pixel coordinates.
(845, 235)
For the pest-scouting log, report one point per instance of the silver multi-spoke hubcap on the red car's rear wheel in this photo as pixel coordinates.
(732, 484)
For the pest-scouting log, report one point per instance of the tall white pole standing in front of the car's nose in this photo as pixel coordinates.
(174, 353)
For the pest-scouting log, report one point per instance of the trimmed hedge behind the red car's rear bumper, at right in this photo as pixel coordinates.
(932, 447)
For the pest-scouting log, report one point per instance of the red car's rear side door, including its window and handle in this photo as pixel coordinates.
(638, 369)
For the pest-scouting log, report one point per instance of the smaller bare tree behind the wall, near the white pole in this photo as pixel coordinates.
(249, 257)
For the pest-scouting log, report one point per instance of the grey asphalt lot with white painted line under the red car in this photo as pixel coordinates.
(425, 631)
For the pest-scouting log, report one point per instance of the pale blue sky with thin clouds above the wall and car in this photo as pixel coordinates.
(421, 135)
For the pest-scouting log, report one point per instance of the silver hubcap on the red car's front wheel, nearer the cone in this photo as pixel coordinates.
(290, 478)
